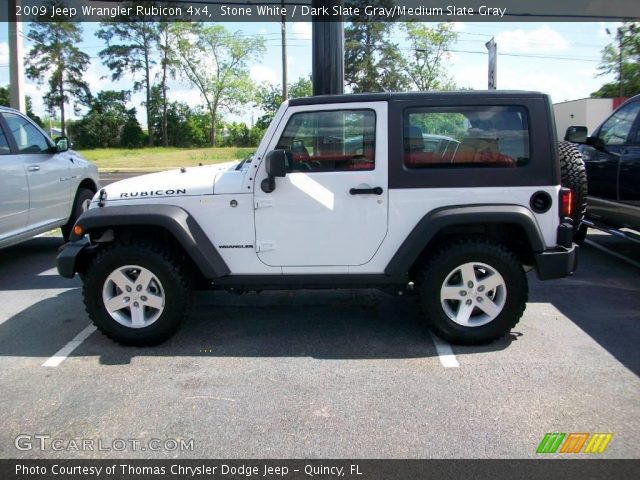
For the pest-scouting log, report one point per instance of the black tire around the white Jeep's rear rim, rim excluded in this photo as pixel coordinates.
(449, 257)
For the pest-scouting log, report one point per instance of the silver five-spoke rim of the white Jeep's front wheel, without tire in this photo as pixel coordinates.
(133, 296)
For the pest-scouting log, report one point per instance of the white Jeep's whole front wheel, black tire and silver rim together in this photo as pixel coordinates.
(136, 294)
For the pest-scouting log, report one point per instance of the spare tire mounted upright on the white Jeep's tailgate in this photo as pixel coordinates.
(573, 175)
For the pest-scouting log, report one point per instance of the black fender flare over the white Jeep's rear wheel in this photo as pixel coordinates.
(443, 217)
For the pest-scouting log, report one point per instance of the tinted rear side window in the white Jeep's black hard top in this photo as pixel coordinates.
(485, 136)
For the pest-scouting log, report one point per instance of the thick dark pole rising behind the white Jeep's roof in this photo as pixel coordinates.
(328, 50)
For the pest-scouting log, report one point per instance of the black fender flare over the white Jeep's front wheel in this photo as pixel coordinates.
(175, 220)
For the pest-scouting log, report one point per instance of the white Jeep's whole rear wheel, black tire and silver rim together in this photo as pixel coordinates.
(473, 291)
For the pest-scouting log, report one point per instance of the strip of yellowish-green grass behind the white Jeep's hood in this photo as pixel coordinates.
(160, 158)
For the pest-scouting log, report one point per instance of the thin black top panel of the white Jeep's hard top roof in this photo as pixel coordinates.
(409, 96)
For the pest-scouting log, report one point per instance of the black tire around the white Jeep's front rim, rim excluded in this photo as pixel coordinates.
(173, 277)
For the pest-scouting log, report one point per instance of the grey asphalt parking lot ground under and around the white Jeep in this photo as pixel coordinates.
(328, 374)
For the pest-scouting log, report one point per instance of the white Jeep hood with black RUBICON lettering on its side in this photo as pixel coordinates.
(170, 183)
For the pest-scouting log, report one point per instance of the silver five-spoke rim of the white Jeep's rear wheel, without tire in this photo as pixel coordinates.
(473, 294)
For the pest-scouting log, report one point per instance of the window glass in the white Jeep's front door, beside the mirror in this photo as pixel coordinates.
(329, 141)
